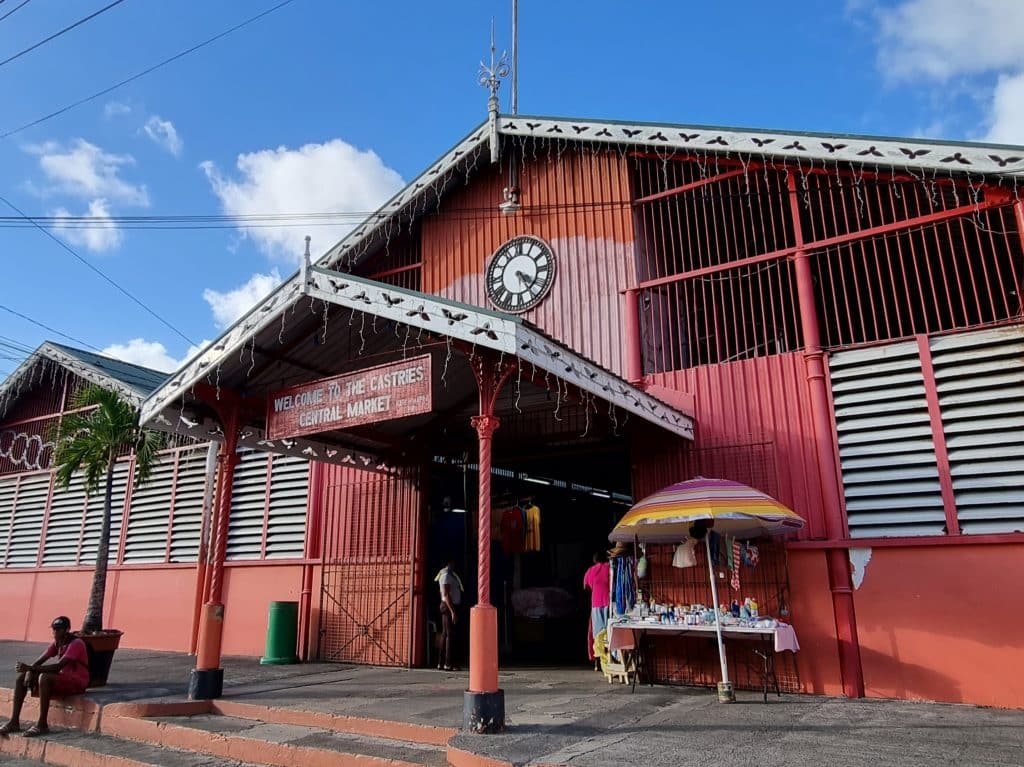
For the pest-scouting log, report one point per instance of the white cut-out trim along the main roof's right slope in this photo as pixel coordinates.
(902, 154)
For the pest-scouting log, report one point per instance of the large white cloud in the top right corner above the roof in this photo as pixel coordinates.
(968, 47)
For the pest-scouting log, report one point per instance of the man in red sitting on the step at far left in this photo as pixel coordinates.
(68, 675)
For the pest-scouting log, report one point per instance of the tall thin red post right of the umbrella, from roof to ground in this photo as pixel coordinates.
(838, 561)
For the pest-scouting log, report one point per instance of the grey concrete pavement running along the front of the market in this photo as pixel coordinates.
(574, 717)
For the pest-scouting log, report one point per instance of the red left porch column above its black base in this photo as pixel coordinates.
(211, 629)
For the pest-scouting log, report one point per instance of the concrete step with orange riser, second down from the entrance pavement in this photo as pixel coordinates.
(274, 744)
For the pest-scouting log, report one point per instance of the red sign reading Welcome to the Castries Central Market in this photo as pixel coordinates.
(371, 396)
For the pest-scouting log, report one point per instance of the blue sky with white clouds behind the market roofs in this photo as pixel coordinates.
(328, 106)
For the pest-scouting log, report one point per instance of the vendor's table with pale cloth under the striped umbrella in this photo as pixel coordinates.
(632, 635)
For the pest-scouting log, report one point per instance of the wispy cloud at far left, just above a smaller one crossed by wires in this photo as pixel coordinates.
(84, 171)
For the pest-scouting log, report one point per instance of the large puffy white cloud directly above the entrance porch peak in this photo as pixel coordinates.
(331, 178)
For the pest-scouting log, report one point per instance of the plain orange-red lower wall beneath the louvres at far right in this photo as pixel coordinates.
(944, 623)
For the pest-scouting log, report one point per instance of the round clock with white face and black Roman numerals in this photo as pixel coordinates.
(521, 275)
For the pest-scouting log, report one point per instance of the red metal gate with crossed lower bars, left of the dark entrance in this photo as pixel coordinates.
(369, 611)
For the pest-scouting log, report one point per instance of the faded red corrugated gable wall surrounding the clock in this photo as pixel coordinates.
(578, 208)
